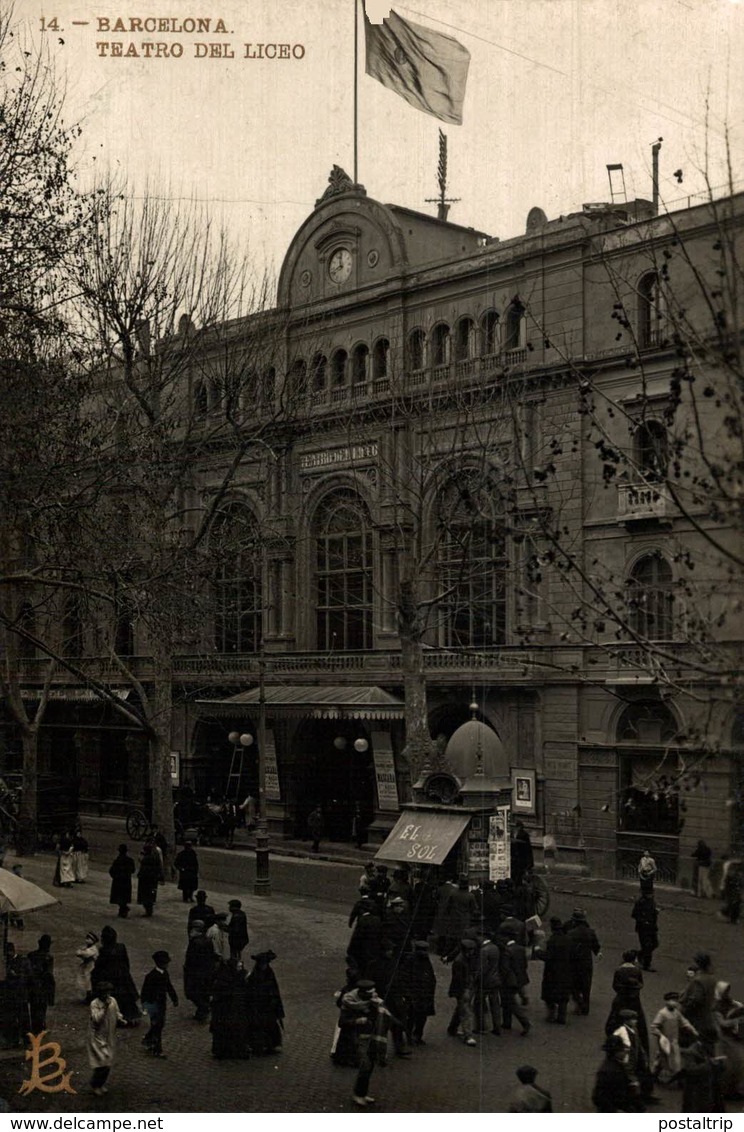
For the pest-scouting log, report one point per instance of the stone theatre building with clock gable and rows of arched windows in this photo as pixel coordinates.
(492, 461)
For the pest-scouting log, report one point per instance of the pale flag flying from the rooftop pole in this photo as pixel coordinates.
(426, 68)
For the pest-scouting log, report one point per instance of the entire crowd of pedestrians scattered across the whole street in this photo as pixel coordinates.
(409, 930)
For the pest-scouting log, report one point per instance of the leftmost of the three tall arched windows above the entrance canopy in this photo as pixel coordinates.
(236, 545)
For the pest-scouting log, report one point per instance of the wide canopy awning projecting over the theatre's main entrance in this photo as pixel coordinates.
(313, 702)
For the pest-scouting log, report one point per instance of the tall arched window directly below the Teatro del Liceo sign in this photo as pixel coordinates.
(344, 573)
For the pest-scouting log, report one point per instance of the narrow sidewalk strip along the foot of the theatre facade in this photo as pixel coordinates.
(566, 884)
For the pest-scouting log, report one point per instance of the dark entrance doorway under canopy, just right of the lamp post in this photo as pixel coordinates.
(333, 773)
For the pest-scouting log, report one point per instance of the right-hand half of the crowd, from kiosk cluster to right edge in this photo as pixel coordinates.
(403, 924)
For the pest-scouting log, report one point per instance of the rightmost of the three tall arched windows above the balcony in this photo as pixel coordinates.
(473, 564)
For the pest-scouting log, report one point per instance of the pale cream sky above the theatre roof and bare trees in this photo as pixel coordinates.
(557, 91)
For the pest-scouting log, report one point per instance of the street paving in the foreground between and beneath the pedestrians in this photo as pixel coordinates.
(310, 937)
